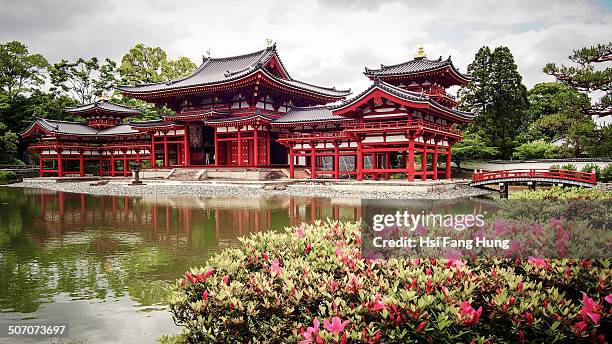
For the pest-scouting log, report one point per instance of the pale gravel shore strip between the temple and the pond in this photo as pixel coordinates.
(305, 190)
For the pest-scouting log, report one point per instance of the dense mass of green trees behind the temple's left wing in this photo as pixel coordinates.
(32, 87)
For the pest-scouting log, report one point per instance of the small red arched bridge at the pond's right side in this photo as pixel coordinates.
(533, 176)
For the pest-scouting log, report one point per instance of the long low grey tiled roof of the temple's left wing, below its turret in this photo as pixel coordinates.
(76, 128)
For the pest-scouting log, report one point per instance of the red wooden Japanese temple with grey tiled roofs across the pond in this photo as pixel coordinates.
(247, 112)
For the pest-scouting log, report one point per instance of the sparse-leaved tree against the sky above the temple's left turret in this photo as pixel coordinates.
(84, 80)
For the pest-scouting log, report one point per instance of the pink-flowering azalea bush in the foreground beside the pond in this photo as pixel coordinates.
(310, 284)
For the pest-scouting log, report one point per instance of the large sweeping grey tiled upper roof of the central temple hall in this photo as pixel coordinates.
(219, 70)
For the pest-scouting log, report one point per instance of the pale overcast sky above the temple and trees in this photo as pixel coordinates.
(323, 42)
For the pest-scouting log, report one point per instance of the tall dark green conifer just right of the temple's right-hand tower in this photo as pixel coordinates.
(499, 98)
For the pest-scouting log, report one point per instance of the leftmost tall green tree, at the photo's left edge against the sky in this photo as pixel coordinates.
(20, 71)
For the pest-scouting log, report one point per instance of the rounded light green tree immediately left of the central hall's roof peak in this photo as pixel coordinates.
(151, 64)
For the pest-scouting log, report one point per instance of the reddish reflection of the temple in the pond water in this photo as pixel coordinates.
(230, 217)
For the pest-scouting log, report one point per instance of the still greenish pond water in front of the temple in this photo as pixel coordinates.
(103, 264)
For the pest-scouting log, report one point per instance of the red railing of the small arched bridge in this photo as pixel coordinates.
(536, 173)
